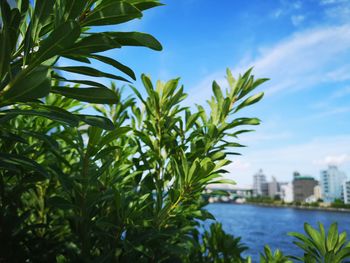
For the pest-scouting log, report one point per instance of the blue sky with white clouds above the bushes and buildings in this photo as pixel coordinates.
(302, 46)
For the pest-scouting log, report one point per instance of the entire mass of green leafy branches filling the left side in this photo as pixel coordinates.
(125, 185)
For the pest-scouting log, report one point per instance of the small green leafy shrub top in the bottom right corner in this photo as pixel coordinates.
(321, 247)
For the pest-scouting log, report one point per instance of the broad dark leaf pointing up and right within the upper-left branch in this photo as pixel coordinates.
(61, 38)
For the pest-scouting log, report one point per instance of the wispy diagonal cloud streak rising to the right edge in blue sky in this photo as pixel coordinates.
(301, 61)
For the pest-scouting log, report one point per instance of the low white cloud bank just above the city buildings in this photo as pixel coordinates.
(308, 158)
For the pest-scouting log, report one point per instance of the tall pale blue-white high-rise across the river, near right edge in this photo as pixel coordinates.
(332, 181)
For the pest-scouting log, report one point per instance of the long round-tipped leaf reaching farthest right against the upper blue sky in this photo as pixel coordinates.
(136, 39)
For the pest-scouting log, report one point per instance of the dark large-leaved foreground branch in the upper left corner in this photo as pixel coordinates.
(34, 38)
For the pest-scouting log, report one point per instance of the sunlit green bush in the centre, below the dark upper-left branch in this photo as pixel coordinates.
(116, 195)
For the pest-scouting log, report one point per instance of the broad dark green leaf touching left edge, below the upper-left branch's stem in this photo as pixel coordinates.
(25, 87)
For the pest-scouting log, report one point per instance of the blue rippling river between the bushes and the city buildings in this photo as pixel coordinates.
(258, 225)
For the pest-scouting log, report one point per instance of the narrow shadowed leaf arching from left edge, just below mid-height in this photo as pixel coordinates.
(16, 162)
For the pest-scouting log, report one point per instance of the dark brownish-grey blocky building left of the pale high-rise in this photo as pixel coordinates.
(303, 187)
